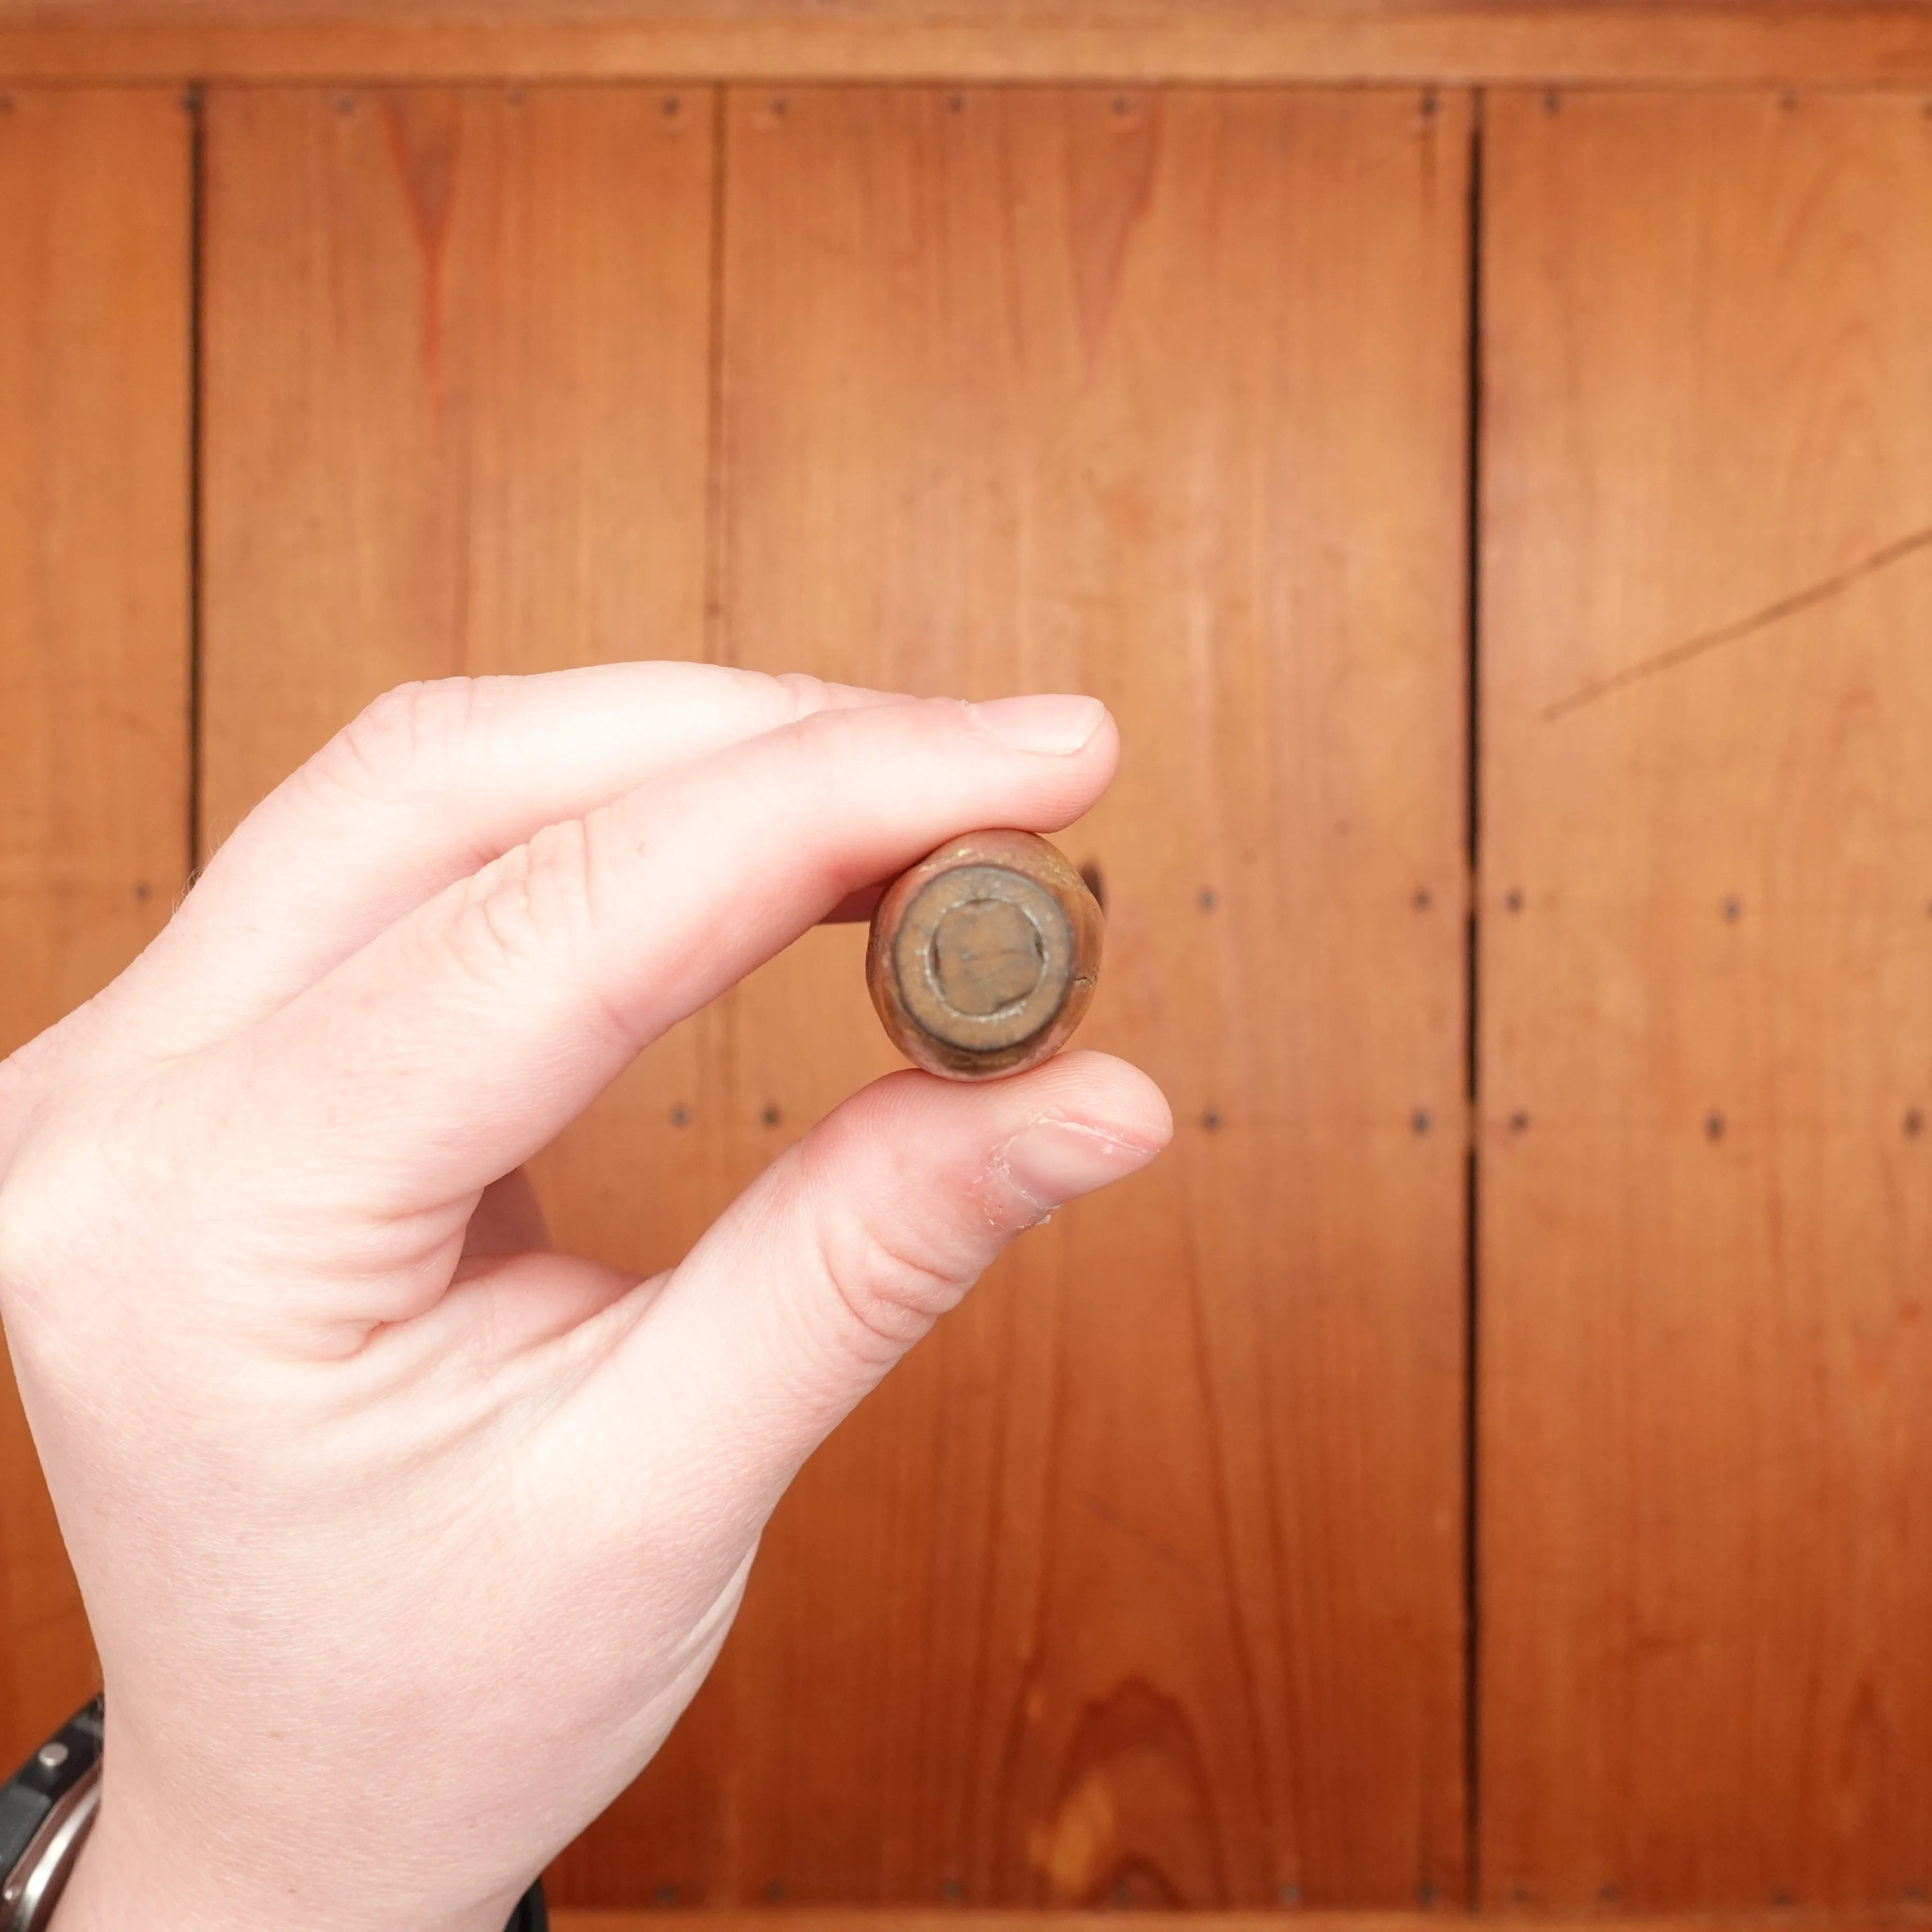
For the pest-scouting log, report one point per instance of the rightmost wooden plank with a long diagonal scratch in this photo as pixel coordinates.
(1707, 1050)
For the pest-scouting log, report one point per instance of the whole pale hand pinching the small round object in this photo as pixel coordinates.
(405, 1541)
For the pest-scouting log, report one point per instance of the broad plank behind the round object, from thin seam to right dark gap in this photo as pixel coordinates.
(1141, 1583)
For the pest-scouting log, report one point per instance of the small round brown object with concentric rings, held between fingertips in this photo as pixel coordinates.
(984, 955)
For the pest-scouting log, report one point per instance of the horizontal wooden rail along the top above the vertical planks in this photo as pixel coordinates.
(1661, 43)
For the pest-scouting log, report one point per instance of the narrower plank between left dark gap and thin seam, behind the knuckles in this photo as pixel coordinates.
(455, 422)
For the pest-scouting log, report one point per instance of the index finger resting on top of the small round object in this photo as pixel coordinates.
(474, 1031)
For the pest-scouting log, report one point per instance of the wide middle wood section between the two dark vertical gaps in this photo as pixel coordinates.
(1143, 1581)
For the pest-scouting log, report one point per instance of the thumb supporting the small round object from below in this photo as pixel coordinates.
(849, 1249)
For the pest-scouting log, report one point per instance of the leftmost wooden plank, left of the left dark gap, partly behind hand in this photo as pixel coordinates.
(94, 662)
